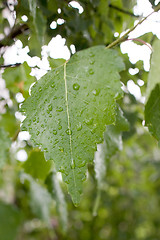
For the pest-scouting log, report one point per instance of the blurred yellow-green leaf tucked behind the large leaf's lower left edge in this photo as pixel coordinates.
(37, 166)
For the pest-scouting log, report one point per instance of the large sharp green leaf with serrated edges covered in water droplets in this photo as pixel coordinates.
(69, 108)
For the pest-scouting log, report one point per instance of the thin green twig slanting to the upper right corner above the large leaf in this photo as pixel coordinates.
(125, 36)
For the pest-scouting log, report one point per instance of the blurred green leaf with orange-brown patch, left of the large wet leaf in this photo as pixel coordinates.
(18, 79)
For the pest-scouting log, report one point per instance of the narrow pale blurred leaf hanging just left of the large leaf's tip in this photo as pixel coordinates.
(57, 193)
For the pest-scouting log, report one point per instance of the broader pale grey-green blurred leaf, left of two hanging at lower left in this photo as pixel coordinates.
(40, 199)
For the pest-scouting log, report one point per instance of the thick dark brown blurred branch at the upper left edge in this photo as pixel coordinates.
(9, 39)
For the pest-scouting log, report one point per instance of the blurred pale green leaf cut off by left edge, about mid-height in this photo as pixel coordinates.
(5, 144)
